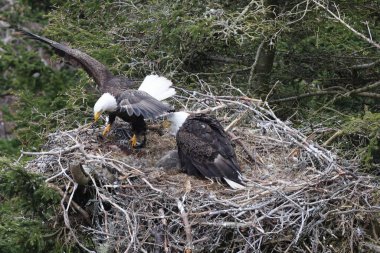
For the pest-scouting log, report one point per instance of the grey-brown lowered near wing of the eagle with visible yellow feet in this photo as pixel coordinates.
(136, 102)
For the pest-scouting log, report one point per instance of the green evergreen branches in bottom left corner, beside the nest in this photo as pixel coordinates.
(28, 210)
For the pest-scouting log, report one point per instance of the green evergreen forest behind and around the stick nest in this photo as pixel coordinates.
(315, 62)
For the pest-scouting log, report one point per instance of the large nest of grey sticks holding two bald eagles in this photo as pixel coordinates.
(300, 197)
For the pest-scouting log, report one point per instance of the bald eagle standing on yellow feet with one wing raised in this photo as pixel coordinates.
(130, 105)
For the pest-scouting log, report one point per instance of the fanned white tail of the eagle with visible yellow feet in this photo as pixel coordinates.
(157, 86)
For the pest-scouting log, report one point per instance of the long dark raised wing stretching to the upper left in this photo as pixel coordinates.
(93, 67)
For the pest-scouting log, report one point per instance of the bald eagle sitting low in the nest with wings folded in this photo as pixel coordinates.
(204, 148)
